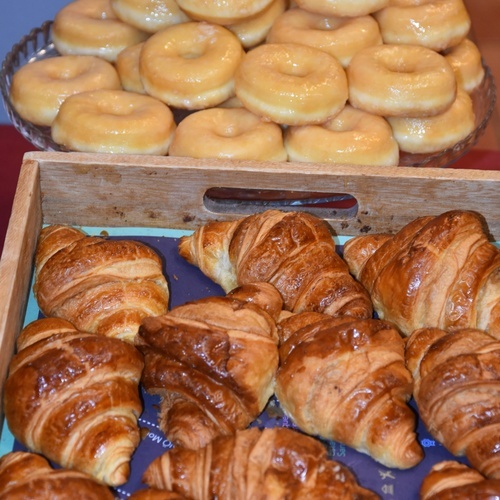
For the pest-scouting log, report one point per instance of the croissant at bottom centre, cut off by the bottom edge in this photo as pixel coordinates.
(276, 463)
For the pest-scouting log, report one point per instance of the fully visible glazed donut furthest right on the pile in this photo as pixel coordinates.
(401, 80)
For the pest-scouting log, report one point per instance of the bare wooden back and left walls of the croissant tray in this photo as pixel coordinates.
(137, 191)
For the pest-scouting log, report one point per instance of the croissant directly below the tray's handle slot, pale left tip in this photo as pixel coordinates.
(294, 251)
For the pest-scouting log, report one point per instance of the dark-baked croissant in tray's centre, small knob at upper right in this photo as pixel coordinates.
(213, 361)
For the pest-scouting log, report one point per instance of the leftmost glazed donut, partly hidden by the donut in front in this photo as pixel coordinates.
(39, 88)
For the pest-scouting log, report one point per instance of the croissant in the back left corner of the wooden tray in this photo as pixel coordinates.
(102, 286)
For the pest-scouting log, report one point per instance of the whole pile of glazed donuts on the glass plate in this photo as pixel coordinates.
(330, 81)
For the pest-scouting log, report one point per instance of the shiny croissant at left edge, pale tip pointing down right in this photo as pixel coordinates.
(73, 397)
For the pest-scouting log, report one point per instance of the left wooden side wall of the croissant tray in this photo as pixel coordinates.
(17, 263)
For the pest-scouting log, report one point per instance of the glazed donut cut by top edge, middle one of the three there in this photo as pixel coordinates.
(222, 11)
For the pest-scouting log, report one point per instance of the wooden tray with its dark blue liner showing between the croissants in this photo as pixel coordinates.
(157, 200)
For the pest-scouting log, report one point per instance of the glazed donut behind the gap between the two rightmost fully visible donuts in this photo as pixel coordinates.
(341, 37)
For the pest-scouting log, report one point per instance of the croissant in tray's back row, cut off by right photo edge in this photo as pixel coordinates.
(435, 272)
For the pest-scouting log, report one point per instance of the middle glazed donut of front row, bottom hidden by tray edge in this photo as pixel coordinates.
(233, 133)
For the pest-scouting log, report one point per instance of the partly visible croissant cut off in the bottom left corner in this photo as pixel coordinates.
(25, 475)
